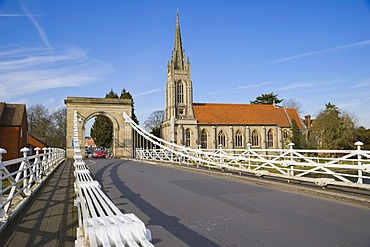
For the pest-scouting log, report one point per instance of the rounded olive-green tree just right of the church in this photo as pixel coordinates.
(334, 129)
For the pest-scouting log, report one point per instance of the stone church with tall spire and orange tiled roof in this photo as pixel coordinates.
(219, 125)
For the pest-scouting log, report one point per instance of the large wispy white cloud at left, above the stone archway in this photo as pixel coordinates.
(28, 70)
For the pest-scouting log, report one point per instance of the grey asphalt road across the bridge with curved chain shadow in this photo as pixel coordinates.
(187, 208)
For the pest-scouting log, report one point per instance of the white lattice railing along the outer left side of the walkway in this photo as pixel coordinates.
(20, 178)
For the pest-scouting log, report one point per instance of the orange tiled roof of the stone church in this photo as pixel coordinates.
(248, 114)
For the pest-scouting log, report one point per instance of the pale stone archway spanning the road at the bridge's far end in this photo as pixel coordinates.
(113, 109)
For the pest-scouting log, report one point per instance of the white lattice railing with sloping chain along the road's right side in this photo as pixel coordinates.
(349, 168)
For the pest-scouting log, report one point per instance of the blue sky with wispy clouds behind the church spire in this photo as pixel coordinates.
(314, 52)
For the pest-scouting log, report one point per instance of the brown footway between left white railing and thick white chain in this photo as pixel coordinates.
(49, 218)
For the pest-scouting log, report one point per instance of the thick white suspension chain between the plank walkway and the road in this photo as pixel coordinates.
(101, 223)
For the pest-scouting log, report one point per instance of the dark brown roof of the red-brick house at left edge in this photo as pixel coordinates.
(11, 114)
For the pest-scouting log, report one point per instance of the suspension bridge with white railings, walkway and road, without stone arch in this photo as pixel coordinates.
(171, 195)
